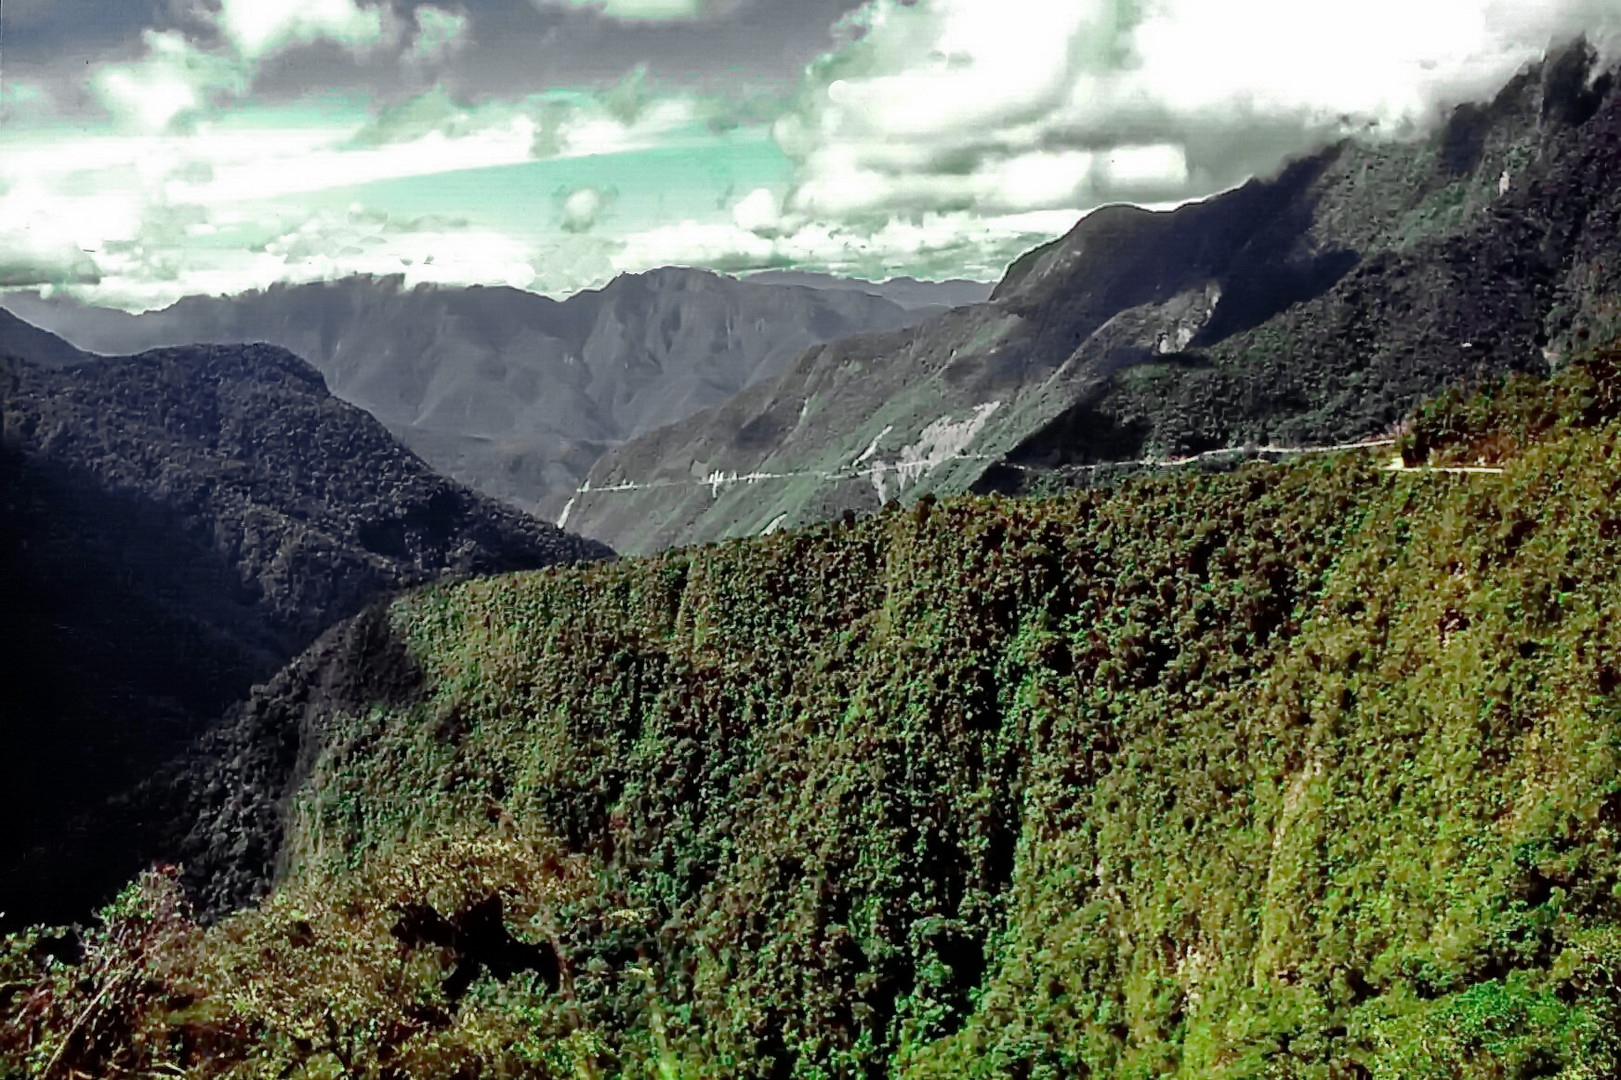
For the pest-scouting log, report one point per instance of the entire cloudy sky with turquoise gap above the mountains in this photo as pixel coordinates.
(161, 148)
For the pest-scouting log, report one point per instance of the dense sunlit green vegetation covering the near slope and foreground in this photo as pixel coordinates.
(1296, 771)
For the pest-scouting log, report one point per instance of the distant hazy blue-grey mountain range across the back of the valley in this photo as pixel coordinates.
(511, 393)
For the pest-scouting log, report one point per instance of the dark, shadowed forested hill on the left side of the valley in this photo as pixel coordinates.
(176, 528)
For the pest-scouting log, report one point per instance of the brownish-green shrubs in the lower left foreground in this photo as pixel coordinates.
(330, 979)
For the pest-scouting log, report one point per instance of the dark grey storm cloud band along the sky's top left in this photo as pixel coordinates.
(511, 49)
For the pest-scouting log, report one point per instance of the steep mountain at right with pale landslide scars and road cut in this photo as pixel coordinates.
(1309, 309)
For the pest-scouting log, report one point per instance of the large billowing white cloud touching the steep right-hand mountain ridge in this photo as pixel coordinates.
(944, 106)
